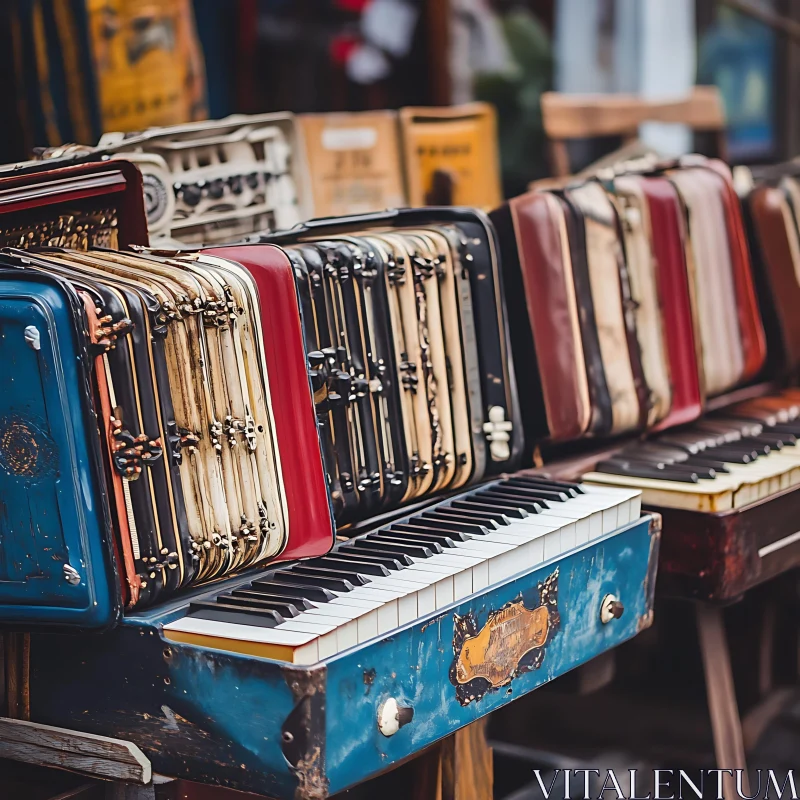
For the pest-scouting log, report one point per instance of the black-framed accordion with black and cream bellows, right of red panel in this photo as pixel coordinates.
(409, 354)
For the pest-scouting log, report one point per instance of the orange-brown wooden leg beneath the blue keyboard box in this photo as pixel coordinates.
(458, 768)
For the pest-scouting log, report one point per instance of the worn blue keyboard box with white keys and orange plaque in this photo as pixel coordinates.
(302, 681)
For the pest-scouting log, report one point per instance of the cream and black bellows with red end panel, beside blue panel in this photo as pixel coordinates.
(196, 437)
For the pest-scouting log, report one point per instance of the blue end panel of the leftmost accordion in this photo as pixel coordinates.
(49, 487)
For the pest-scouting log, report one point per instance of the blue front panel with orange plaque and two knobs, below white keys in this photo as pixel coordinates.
(413, 665)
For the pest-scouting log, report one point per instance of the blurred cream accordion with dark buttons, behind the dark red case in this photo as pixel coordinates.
(218, 181)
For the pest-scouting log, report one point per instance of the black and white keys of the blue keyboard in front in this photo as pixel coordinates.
(382, 580)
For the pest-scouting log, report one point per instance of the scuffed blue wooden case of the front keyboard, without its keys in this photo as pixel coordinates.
(216, 717)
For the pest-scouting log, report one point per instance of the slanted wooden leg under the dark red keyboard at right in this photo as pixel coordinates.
(725, 721)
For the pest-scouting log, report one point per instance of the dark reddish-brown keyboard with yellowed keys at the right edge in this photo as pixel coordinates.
(727, 489)
